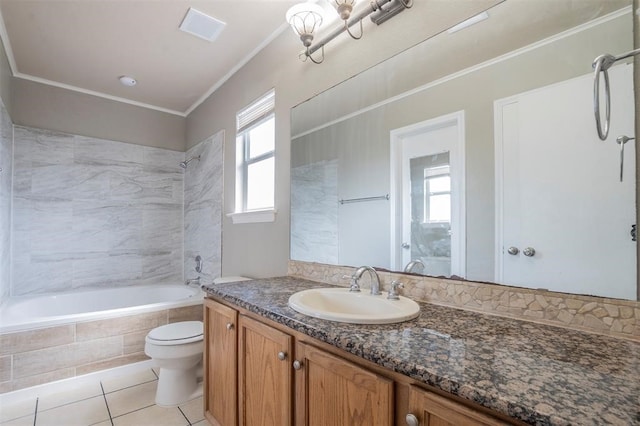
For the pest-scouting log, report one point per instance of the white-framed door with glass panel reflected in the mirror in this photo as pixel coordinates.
(427, 161)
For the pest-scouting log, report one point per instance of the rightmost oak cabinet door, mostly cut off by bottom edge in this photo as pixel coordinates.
(434, 410)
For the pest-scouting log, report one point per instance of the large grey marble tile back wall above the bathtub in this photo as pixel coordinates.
(89, 212)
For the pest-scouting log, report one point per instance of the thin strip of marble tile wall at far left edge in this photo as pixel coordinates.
(6, 164)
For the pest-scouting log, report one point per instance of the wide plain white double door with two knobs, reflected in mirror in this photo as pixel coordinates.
(558, 190)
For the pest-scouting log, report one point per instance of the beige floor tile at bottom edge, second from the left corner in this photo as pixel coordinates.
(82, 413)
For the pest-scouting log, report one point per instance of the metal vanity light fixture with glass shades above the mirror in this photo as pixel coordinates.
(305, 18)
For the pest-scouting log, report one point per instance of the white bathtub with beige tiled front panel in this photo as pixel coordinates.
(60, 336)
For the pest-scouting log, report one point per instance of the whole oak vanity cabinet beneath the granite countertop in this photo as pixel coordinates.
(262, 374)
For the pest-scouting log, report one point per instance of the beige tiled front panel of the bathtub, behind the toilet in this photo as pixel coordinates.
(30, 358)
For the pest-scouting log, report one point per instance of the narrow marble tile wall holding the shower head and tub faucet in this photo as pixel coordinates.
(203, 189)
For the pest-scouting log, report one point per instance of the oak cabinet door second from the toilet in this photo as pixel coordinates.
(265, 374)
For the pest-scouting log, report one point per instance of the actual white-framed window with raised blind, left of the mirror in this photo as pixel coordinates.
(255, 160)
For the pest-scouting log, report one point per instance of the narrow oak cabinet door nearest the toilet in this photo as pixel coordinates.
(220, 364)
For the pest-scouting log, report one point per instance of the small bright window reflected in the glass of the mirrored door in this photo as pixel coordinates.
(437, 190)
